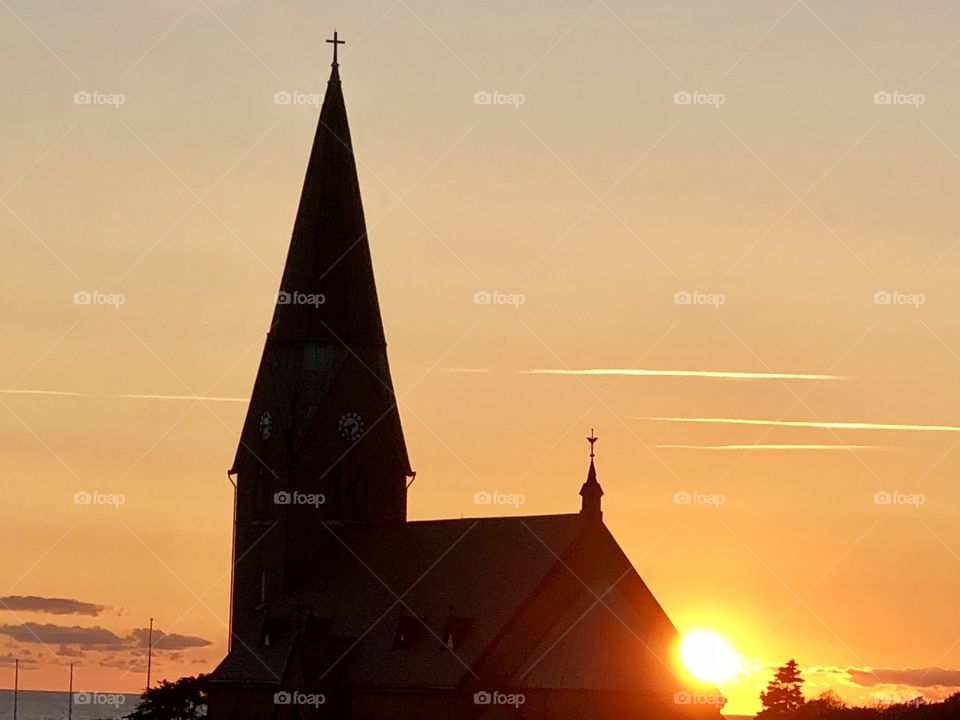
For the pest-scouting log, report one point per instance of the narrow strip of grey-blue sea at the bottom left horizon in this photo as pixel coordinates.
(43, 705)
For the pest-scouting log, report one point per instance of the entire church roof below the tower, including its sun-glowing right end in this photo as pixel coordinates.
(387, 595)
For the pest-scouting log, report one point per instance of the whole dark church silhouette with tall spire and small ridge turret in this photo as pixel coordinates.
(340, 607)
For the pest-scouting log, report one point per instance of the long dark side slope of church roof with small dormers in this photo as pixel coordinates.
(479, 570)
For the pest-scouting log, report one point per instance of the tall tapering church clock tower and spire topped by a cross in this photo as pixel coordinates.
(322, 440)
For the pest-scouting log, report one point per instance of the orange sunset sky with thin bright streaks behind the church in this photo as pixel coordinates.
(702, 213)
